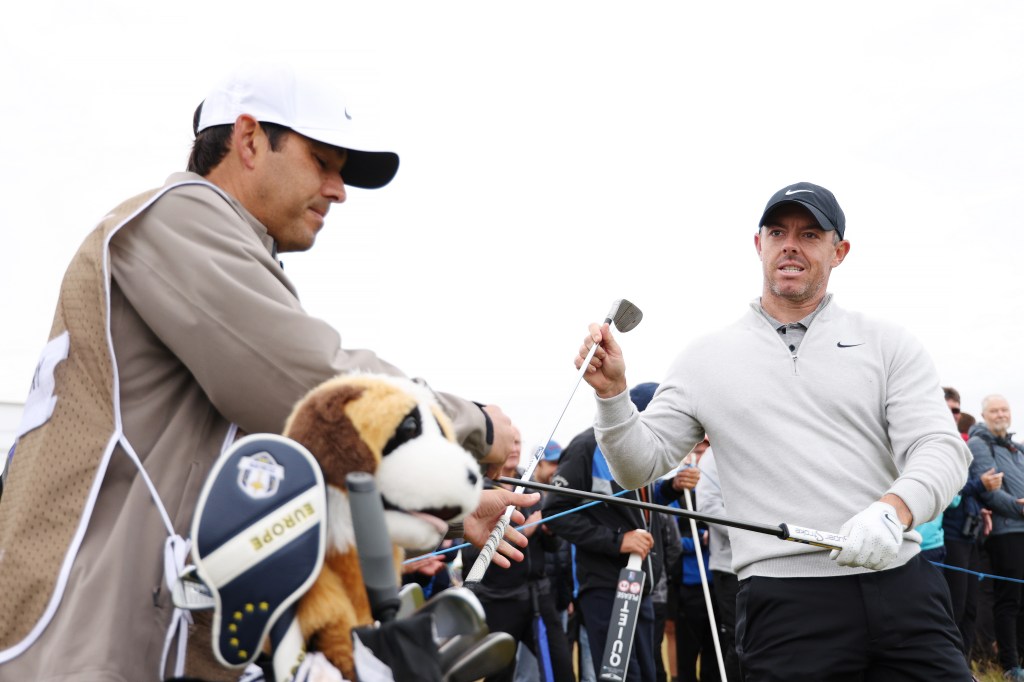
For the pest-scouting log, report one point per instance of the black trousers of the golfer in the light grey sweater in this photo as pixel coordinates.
(889, 626)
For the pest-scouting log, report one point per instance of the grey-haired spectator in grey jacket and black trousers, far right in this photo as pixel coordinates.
(993, 447)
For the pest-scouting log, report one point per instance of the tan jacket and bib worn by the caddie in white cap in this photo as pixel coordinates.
(178, 322)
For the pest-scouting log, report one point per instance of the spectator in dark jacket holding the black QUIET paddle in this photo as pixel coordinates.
(605, 537)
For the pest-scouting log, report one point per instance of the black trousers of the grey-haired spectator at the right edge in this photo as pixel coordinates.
(1007, 553)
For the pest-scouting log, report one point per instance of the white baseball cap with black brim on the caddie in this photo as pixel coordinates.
(276, 94)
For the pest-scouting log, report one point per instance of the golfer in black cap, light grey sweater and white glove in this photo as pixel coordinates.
(821, 417)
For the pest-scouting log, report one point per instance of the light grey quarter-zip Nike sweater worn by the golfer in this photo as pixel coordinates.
(810, 438)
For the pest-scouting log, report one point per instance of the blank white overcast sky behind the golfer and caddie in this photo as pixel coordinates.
(556, 157)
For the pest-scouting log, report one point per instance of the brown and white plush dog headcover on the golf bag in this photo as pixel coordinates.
(395, 430)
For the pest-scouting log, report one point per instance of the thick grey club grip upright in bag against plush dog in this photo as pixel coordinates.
(374, 545)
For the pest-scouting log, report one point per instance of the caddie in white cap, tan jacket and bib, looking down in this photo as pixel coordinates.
(177, 330)
